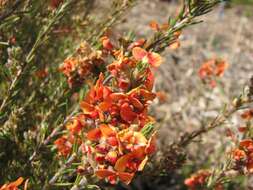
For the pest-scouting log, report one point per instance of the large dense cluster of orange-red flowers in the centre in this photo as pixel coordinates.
(114, 132)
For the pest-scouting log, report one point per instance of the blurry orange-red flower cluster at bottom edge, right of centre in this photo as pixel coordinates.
(197, 180)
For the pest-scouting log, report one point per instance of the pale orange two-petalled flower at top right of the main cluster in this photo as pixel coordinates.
(152, 58)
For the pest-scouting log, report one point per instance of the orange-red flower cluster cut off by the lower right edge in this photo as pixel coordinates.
(243, 155)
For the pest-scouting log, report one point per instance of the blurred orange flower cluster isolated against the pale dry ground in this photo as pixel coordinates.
(212, 69)
